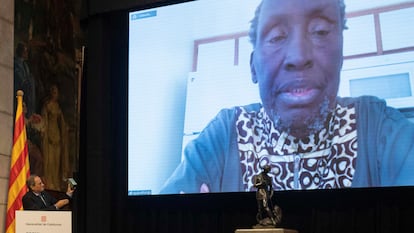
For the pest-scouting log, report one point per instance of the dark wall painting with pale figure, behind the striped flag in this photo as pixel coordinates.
(48, 67)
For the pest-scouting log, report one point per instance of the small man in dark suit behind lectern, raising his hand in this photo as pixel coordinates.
(37, 199)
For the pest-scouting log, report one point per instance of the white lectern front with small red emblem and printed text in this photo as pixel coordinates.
(43, 221)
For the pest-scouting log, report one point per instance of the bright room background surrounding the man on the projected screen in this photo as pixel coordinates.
(187, 61)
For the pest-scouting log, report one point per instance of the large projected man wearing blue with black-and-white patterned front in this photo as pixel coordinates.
(310, 137)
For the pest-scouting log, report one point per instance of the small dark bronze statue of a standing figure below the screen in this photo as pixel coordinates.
(268, 215)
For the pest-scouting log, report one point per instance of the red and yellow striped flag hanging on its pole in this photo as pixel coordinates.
(19, 167)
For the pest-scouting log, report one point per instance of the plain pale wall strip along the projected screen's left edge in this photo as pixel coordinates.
(160, 58)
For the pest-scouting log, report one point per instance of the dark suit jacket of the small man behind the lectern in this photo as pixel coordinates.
(33, 202)
